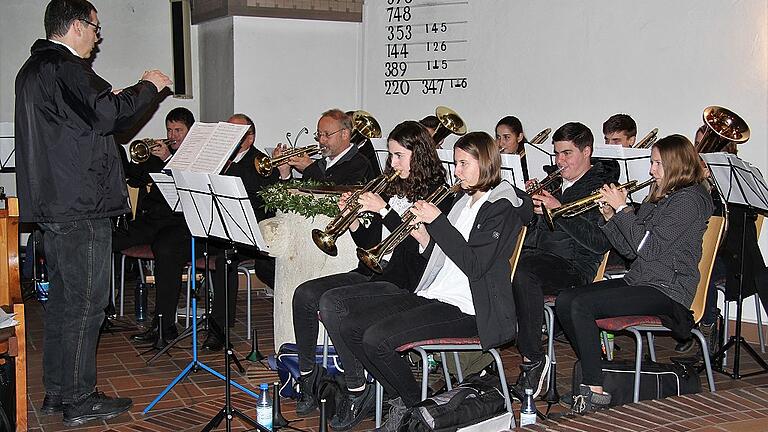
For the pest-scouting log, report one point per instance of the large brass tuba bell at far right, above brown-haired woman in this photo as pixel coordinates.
(723, 127)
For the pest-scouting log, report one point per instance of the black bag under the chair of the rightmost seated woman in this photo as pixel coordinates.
(657, 380)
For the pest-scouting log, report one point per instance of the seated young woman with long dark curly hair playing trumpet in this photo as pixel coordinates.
(412, 153)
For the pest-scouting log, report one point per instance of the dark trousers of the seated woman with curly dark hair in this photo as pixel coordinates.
(306, 301)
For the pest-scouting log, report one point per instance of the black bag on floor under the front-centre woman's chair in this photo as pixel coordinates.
(476, 399)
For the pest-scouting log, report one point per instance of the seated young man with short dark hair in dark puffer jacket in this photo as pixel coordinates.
(563, 258)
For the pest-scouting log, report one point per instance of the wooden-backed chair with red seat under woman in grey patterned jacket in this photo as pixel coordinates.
(650, 324)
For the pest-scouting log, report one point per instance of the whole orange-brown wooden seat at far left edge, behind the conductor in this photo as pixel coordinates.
(13, 340)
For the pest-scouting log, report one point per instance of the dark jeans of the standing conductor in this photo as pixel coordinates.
(78, 259)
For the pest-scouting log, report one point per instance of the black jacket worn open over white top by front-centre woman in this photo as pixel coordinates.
(484, 258)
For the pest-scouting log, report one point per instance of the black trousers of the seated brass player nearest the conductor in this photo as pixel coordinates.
(169, 239)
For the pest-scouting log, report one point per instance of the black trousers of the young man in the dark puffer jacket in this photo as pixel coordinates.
(538, 274)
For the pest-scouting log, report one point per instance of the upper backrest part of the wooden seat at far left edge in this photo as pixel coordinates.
(10, 290)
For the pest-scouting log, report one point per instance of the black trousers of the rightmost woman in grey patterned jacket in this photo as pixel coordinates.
(578, 309)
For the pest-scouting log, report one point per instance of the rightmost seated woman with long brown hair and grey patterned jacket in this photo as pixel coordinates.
(664, 238)
